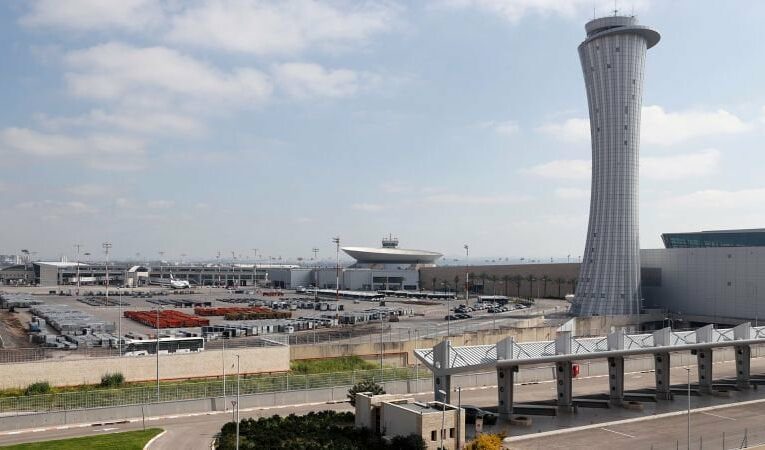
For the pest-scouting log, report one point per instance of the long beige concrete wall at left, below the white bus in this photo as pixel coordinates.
(209, 363)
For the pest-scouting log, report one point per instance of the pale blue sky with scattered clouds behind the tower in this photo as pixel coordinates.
(197, 127)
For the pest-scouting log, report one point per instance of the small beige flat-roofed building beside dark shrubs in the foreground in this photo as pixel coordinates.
(439, 424)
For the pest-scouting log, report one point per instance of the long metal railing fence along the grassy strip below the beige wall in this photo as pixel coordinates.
(100, 398)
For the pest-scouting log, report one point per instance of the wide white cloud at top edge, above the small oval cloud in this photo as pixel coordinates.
(282, 27)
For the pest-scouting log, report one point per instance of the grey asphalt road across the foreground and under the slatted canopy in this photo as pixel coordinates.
(195, 431)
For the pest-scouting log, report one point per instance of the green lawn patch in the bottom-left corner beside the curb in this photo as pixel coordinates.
(131, 440)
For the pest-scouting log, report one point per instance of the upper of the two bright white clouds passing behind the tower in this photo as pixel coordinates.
(659, 127)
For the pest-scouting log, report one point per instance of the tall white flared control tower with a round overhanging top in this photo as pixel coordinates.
(613, 59)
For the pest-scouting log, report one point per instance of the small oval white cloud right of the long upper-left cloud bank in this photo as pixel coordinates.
(306, 80)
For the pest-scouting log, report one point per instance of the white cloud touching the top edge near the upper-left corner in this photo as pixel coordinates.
(94, 14)
